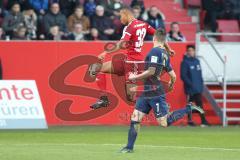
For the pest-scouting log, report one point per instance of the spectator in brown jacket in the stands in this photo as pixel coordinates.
(78, 17)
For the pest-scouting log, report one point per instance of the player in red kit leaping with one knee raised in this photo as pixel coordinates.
(134, 34)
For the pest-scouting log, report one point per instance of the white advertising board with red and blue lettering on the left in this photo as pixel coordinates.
(20, 105)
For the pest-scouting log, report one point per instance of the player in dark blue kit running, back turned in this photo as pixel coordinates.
(154, 96)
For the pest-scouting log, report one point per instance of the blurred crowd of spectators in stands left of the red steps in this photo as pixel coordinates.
(73, 19)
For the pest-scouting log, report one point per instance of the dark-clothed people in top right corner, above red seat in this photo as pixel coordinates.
(220, 9)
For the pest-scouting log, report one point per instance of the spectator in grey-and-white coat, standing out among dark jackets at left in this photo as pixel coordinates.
(30, 19)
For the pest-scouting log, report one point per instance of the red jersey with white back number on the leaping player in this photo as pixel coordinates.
(135, 33)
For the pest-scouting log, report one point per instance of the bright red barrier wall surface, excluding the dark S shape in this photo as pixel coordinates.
(38, 60)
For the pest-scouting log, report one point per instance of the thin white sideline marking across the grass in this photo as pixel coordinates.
(145, 146)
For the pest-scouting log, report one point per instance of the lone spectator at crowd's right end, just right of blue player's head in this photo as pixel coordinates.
(175, 34)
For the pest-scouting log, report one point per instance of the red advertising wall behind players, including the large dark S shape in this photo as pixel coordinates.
(67, 104)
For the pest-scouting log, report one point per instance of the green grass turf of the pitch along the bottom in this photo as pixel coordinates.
(103, 143)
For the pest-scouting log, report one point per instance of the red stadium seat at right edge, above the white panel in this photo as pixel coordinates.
(228, 26)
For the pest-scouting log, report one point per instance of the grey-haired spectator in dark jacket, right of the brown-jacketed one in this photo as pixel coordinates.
(102, 24)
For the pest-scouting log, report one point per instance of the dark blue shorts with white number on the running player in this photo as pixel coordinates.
(158, 104)
